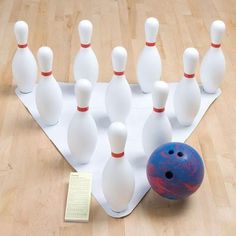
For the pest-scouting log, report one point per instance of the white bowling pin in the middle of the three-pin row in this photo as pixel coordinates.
(118, 94)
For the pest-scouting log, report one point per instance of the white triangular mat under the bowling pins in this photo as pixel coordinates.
(141, 108)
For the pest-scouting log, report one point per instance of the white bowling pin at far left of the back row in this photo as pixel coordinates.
(24, 66)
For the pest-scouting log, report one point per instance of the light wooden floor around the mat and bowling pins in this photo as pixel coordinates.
(33, 174)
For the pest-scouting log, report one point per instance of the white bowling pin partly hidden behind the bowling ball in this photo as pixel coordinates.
(157, 129)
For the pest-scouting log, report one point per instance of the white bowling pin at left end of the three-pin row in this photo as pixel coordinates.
(48, 96)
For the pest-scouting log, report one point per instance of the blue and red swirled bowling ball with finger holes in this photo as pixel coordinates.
(175, 170)
